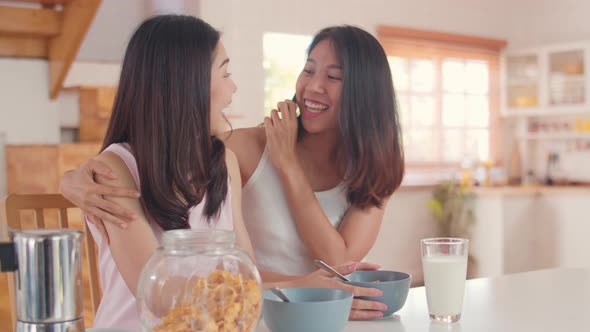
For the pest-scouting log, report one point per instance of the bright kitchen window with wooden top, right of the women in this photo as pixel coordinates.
(447, 89)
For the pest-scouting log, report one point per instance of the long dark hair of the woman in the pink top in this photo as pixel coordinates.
(162, 111)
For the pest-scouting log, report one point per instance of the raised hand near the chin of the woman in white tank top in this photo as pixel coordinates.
(281, 134)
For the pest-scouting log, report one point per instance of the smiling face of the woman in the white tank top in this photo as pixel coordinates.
(319, 87)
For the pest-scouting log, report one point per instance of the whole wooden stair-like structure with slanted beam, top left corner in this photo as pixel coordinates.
(46, 29)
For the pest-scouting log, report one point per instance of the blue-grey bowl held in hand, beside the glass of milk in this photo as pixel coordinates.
(395, 286)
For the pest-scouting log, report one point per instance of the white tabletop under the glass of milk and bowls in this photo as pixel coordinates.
(547, 300)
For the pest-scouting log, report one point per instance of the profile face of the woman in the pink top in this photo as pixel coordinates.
(222, 89)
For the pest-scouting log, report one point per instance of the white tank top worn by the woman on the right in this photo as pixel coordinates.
(271, 227)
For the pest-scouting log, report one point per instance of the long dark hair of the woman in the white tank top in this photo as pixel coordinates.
(370, 134)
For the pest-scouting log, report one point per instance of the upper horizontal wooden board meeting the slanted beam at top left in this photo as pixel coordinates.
(29, 22)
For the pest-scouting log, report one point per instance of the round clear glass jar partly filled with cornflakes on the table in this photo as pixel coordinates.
(199, 281)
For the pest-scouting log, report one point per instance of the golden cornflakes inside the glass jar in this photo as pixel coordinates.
(221, 302)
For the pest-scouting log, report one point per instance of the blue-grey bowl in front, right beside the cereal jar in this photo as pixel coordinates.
(310, 310)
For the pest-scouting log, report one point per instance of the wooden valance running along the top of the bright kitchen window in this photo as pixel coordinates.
(435, 36)
